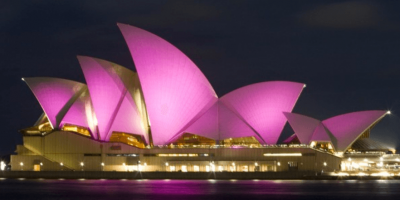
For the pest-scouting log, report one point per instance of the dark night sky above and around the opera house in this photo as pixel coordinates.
(347, 52)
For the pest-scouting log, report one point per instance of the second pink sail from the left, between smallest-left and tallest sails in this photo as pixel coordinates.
(113, 104)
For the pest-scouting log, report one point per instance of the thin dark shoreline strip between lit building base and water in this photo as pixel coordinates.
(309, 175)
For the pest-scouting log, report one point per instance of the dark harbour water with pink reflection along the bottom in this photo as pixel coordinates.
(197, 189)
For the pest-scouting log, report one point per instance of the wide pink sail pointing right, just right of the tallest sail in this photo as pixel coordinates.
(261, 106)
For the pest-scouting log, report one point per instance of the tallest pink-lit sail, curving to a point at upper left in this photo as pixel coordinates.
(174, 89)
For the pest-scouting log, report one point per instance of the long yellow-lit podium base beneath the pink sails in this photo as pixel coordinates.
(62, 150)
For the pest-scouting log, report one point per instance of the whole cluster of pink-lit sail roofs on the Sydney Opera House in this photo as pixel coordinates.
(170, 96)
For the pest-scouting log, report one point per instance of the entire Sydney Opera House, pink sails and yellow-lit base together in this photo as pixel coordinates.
(167, 117)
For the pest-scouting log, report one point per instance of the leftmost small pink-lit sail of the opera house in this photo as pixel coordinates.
(55, 95)
